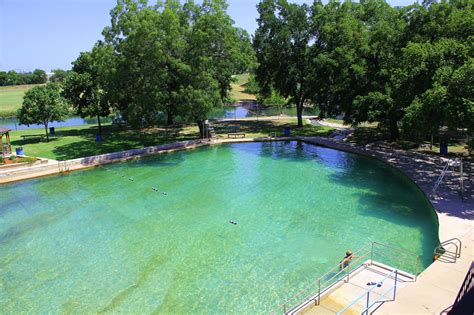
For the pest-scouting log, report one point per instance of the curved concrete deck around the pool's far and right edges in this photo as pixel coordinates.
(437, 286)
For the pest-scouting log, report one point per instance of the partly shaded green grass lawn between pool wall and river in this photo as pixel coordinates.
(76, 142)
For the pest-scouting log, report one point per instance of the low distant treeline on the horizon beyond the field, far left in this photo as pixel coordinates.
(38, 76)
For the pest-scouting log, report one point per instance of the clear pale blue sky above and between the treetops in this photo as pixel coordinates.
(50, 34)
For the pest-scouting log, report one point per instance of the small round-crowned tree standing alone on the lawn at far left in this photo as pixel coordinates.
(42, 105)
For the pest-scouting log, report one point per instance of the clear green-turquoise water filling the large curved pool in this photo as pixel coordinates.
(103, 241)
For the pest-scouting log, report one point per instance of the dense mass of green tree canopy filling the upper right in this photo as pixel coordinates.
(407, 68)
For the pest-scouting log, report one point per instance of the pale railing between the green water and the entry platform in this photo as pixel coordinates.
(370, 251)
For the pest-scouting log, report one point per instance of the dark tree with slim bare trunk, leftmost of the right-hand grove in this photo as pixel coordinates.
(282, 47)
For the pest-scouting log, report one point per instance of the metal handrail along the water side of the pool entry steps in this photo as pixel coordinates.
(321, 284)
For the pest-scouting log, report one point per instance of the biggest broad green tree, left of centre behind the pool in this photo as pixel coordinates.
(166, 53)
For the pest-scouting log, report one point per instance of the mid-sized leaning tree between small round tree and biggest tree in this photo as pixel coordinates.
(83, 85)
